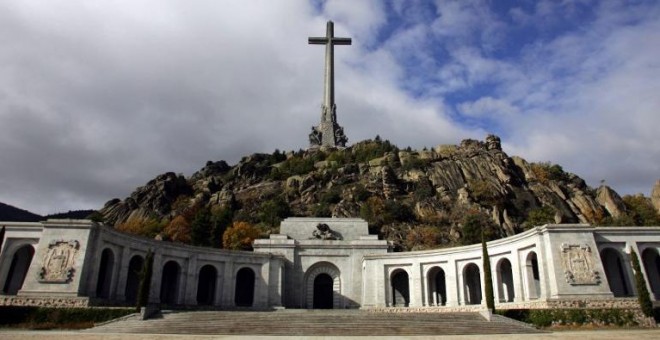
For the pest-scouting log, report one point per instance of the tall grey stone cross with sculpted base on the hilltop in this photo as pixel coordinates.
(328, 133)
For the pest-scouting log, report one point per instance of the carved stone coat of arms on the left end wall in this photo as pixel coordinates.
(58, 263)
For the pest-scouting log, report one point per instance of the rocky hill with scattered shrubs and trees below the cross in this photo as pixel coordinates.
(415, 198)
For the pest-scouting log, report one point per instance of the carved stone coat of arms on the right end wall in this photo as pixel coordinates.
(578, 264)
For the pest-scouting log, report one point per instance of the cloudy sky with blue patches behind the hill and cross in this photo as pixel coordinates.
(98, 97)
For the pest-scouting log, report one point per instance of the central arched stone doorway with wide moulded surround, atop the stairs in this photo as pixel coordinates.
(316, 290)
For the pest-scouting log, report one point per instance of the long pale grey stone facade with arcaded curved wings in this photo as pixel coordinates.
(326, 263)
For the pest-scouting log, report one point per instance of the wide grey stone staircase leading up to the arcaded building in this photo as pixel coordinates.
(315, 323)
